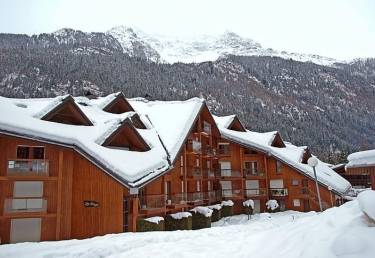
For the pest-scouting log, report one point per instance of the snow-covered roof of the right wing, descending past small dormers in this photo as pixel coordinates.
(290, 154)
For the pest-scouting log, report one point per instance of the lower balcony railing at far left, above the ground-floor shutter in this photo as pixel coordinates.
(13, 205)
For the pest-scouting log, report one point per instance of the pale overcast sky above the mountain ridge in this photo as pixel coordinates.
(342, 29)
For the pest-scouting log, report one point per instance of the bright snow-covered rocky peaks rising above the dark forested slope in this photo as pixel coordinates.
(201, 48)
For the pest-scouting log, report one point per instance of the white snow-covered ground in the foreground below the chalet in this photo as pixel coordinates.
(337, 232)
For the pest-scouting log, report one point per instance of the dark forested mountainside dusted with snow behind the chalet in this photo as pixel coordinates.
(330, 108)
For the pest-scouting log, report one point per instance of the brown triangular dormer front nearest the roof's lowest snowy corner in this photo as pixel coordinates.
(126, 137)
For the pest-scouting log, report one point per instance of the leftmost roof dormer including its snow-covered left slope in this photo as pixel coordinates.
(64, 110)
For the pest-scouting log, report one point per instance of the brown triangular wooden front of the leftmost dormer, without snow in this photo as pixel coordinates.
(67, 112)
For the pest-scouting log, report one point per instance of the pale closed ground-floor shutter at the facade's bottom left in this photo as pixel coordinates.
(25, 230)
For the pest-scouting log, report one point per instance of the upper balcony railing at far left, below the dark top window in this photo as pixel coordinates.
(28, 167)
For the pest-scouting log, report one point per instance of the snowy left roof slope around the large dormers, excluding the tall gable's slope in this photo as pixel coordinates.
(131, 168)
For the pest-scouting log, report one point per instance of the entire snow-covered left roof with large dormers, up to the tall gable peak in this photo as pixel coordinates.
(168, 123)
